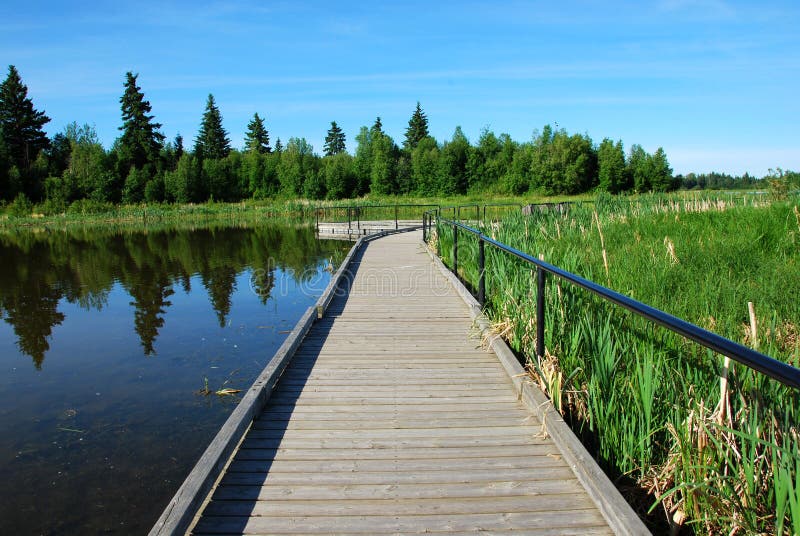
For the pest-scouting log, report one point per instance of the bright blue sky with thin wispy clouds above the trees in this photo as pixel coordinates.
(714, 82)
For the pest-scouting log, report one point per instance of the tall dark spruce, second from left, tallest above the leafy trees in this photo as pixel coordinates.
(141, 142)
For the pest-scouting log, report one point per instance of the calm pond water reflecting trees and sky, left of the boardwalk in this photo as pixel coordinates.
(106, 339)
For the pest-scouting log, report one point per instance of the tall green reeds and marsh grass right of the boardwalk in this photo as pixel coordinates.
(722, 457)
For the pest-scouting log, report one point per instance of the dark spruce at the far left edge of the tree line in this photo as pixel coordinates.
(20, 123)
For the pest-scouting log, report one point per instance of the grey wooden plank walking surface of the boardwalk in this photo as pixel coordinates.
(391, 419)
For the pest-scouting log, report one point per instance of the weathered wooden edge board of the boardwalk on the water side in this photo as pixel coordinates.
(180, 513)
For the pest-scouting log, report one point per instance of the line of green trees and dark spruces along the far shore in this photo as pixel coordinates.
(142, 166)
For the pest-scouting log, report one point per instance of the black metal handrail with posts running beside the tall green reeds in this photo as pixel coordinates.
(763, 363)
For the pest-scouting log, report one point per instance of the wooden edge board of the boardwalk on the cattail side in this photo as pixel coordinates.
(615, 509)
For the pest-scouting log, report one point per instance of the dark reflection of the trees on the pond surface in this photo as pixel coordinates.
(40, 269)
